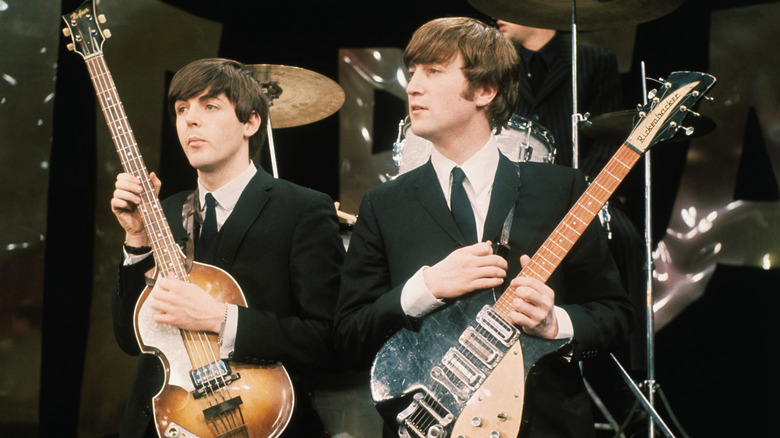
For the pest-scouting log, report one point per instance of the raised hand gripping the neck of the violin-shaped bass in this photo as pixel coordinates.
(124, 205)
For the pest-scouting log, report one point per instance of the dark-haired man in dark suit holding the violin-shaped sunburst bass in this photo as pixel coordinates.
(280, 242)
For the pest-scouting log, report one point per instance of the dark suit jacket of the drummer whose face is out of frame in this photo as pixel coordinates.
(598, 92)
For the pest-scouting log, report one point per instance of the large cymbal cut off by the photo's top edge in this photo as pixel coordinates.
(590, 14)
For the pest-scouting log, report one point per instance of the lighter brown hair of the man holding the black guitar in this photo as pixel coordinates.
(489, 58)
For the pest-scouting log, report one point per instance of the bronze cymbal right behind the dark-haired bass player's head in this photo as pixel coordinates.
(298, 96)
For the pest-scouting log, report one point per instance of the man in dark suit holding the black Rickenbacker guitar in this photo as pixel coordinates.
(409, 259)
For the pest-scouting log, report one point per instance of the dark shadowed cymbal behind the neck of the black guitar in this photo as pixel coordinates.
(617, 126)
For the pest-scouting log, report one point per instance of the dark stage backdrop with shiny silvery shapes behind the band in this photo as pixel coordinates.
(715, 198)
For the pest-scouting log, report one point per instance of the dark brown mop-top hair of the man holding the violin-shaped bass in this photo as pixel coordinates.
(219, 76)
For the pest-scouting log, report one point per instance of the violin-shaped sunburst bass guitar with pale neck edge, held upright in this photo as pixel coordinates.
(203, 395)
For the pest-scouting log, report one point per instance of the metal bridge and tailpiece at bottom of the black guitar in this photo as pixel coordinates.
(425, 417)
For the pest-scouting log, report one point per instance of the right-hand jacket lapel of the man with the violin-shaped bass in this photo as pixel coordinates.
(249, 205)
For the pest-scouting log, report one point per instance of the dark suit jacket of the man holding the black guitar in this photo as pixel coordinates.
(405, 224)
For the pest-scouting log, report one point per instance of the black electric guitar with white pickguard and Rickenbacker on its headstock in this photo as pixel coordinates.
(463, 373)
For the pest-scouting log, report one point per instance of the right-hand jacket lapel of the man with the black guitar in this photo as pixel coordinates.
(502, 199)
